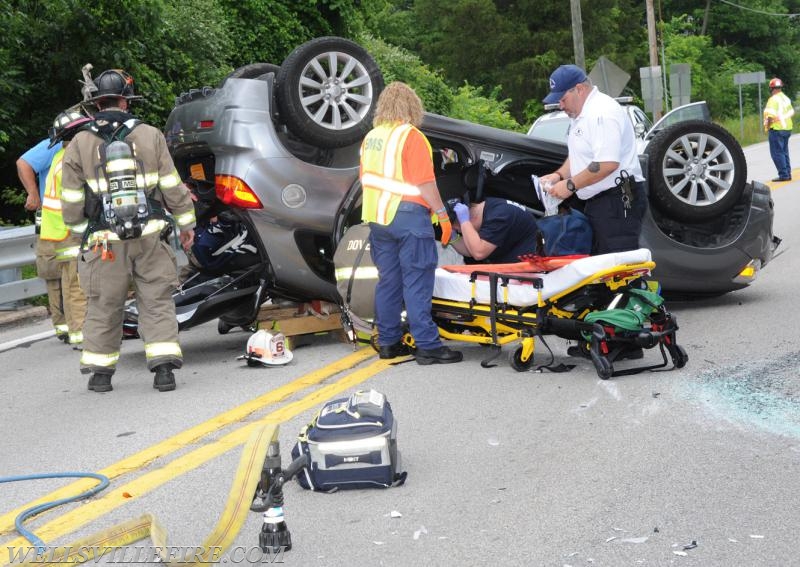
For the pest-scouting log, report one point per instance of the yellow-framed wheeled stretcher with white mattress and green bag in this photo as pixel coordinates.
(601, 301)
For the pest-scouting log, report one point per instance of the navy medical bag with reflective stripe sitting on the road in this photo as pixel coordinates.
(350, 443)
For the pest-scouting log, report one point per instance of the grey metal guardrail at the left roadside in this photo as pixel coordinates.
(17, 249)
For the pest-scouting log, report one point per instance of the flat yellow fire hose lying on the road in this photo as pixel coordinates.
(248, 474)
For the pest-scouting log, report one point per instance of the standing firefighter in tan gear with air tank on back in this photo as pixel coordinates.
(118, 181)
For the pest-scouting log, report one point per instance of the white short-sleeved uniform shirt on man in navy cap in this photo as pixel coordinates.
(602, 132)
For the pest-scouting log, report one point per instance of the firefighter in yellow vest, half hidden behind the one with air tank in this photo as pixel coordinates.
(55, 239)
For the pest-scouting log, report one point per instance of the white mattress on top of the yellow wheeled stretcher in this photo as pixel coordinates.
(457, 287)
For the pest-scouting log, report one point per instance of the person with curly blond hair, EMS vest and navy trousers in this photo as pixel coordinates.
(399, 195)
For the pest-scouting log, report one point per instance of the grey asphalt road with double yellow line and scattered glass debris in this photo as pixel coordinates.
(505, 468)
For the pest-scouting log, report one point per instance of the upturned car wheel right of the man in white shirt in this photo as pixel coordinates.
(697, 170)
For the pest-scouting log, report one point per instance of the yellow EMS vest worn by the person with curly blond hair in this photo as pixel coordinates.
(382, 179)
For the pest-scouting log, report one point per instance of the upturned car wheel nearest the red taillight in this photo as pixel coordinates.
(327, 91)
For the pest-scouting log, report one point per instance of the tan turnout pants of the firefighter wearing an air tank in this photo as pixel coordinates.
(149, 264)
